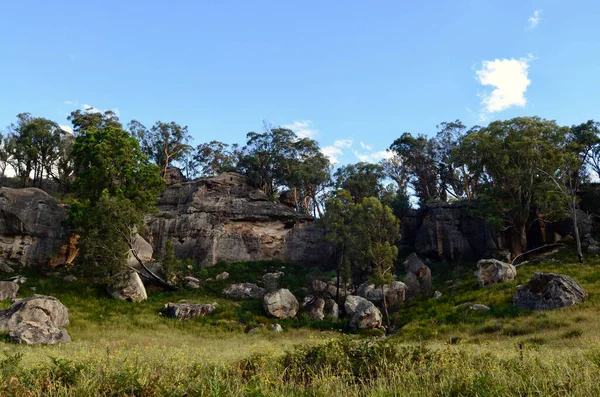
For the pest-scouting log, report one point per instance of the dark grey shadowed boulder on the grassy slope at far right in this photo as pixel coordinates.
(547, 291)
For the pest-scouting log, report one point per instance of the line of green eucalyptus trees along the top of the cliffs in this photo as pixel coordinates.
(522, 171)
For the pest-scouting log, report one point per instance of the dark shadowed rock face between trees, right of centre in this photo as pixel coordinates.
(448, 232)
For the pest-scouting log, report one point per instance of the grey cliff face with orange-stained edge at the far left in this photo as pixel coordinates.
(31, 230)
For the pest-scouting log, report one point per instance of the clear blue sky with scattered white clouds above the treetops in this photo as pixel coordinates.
(341, 72)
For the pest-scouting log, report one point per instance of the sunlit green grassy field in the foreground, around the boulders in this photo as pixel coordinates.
(129, 349)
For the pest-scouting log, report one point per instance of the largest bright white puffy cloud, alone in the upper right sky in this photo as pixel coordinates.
(510, 80)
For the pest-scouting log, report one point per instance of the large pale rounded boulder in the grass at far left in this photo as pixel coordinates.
(36, 320)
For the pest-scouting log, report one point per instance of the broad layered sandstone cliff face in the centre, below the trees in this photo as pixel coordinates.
(223, 218)
